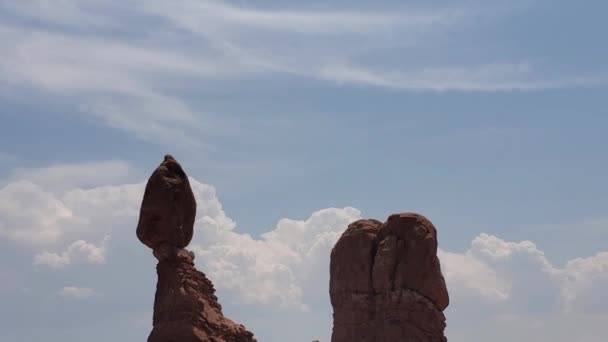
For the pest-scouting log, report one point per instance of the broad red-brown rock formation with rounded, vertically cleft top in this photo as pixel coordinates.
(386, 283)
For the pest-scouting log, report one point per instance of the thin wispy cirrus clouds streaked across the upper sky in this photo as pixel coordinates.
(132, 65)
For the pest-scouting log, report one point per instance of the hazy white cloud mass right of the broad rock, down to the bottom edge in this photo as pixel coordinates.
(507, 291)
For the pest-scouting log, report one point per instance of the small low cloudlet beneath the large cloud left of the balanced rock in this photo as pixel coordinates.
(78, 252)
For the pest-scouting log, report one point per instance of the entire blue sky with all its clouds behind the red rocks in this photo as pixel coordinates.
(294, 119)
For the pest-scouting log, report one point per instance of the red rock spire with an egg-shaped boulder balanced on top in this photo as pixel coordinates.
(185, 306)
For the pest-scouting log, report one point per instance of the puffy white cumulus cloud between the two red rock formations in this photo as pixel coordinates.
(280, 266)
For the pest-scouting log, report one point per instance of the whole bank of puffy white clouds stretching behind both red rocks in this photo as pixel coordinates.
(285, 270)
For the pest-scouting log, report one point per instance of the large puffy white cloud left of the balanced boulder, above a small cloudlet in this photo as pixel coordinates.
(34, 216)
